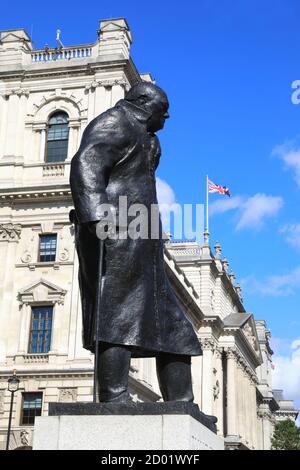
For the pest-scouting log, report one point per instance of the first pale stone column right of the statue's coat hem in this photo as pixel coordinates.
(207, 376)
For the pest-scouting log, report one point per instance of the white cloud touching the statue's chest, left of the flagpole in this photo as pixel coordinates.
(167, 202)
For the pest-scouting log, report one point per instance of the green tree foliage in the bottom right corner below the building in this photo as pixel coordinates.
(286, 436)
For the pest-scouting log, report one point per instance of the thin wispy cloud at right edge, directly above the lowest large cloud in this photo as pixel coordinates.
(279, 285)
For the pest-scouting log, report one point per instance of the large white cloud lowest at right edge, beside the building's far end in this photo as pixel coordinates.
(286, 374)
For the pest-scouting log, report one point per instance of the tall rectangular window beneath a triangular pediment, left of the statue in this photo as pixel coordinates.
(40, 331)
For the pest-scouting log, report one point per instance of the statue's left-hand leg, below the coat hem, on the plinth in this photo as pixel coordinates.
(113, 370)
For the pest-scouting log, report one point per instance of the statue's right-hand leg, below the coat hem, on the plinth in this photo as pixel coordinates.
(174, 377)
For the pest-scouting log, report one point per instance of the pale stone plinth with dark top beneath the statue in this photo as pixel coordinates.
(140, 426)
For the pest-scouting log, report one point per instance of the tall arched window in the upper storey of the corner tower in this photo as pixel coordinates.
(57, 137)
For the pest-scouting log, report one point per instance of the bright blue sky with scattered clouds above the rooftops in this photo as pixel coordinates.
(228, 67)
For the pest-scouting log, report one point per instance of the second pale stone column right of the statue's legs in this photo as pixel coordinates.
(231, 395)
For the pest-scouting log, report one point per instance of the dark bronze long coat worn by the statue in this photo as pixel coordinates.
(118, 157)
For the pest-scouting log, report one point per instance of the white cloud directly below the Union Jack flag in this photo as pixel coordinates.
(251, 211)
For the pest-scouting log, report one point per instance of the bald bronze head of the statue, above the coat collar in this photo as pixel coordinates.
(152, 99)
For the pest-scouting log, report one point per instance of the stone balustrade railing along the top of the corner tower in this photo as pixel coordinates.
(51, 55)
